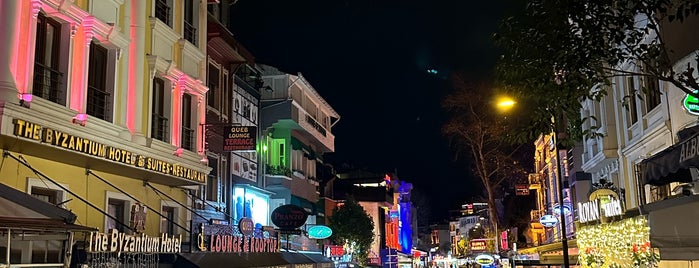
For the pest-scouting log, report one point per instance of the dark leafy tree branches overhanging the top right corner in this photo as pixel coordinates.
(559, 52)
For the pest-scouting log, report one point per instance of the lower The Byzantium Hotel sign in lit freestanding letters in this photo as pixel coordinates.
(121, 242)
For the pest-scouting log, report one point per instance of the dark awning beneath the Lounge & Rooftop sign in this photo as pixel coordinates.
(280, 259)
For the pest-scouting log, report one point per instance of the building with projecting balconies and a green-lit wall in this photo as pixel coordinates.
(296, 130)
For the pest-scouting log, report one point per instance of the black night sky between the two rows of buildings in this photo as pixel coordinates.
(369, 60)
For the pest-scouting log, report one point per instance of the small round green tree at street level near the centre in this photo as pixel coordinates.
(352, 226)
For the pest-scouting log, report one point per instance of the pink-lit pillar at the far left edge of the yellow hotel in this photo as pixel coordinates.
(9, 13)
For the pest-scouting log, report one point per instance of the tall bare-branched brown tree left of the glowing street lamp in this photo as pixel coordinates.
(480, 134)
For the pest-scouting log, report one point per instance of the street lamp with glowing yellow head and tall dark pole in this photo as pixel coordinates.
(505, 103)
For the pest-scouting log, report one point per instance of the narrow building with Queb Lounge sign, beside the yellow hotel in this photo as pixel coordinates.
(234, 189)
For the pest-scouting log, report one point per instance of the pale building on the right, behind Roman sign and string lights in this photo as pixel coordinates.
(649, 153)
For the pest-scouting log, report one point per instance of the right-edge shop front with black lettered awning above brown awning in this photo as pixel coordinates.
(670, 179)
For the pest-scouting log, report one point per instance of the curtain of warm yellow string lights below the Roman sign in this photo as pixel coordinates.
(611, 244)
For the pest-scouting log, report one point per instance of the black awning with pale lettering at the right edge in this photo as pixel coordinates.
(672, 164)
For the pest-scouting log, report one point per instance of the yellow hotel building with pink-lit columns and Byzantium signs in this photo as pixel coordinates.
(101, 105)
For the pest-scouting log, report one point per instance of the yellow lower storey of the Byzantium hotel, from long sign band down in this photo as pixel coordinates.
(132, 198)
